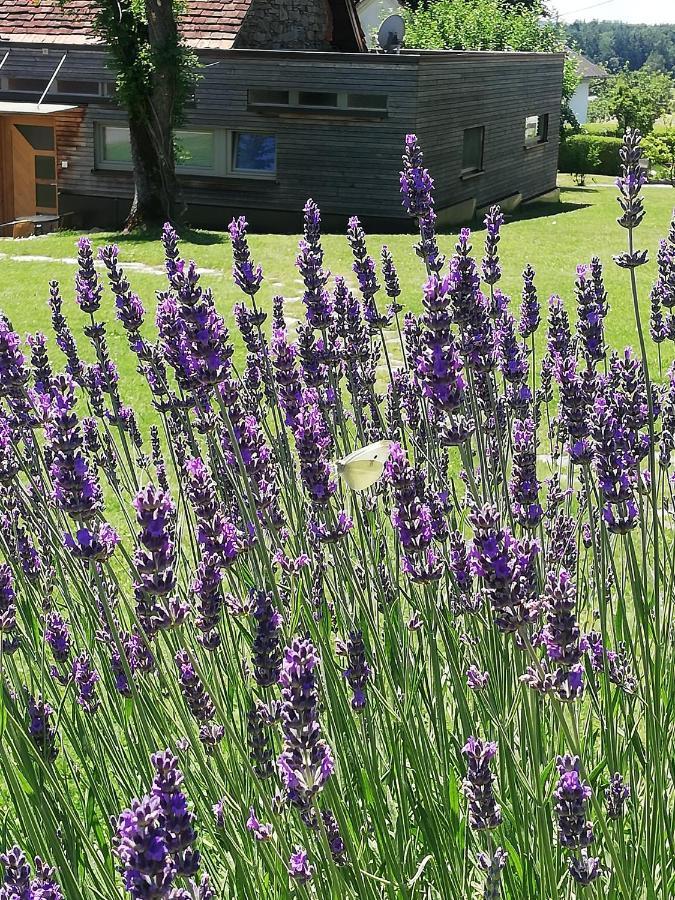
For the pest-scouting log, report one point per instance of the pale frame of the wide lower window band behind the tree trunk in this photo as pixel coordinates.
(224, 149)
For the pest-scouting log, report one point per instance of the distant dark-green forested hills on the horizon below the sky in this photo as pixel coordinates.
(618, 44)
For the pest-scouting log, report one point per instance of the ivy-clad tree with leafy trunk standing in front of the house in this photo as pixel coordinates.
(156, 74)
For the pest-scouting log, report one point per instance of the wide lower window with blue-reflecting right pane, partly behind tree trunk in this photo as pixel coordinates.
(208, 151)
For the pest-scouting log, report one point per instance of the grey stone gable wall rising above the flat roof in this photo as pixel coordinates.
(287, 25)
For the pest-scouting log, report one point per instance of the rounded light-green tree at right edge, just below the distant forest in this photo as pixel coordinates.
(635, 99)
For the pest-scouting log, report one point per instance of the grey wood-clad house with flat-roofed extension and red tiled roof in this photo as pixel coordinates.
(289, 105)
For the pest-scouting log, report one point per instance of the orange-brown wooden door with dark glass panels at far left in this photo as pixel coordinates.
(33, 158)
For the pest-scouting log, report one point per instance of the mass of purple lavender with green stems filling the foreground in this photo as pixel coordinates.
(355, 617)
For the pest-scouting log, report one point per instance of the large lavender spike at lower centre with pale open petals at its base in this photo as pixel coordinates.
(306, 762)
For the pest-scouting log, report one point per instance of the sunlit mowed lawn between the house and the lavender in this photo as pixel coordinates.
(553, 238)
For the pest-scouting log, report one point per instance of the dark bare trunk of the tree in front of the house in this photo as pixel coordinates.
(151, 124)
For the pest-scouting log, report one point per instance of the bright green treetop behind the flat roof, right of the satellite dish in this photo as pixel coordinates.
(481, 25)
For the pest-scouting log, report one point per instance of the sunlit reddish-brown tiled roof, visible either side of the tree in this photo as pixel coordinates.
(206, 22)
